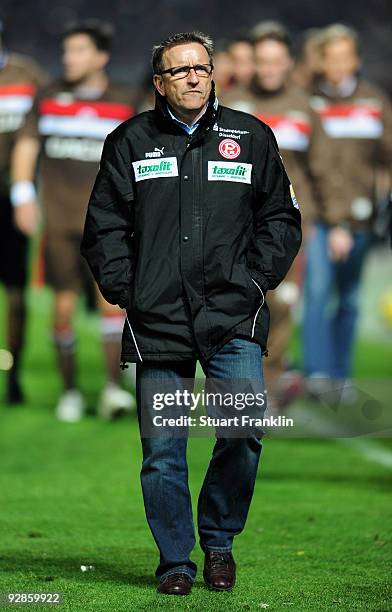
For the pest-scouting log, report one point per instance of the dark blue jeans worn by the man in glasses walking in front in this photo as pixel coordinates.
(227, 490)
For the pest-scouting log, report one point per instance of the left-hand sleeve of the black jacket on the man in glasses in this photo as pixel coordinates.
(107, 242)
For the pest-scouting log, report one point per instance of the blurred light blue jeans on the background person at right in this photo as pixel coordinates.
(329, 329)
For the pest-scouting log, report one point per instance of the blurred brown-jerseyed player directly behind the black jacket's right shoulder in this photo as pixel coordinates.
(274, 99)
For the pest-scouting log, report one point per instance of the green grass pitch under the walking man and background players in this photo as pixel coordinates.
(318, 534)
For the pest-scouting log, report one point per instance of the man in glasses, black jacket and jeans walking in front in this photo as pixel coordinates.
(190, 222)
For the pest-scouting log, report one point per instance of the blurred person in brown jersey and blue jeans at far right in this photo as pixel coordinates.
(357, 119)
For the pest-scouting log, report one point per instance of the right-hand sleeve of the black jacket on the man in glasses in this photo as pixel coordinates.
(276, 218)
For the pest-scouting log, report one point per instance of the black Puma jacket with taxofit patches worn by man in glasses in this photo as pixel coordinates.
(187, 234)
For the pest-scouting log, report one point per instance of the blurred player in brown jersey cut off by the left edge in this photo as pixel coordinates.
(19, 78)
